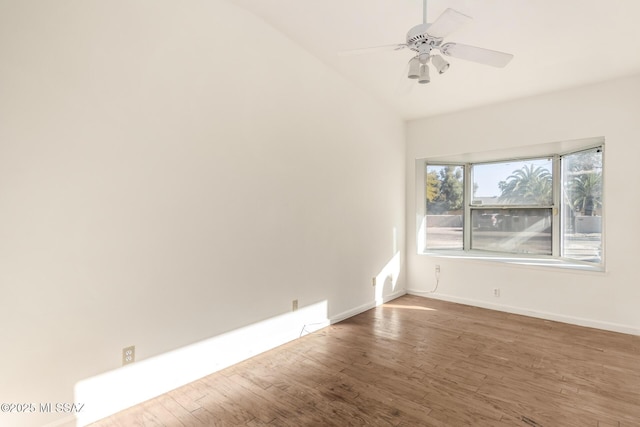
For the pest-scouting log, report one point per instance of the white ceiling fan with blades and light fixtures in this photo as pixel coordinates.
(424, 38)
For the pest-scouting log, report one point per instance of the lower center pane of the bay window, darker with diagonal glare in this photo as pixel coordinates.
(518, 231)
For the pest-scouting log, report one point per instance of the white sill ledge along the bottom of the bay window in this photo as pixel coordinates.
(533, 261)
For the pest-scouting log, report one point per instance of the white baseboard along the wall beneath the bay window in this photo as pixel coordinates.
(590, 323)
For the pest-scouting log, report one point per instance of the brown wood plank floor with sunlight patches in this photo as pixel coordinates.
(419, 362)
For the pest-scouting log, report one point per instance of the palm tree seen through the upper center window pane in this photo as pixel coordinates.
(530, 185)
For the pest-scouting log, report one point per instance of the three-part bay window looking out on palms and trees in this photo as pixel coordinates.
(542, 207)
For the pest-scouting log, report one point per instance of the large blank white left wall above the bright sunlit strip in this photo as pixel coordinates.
(170, 171)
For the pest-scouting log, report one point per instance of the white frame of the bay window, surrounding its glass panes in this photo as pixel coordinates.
(553, 151)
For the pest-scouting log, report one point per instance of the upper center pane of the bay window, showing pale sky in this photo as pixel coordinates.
(518, 182)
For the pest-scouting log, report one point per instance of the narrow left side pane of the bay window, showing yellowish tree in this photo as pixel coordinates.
(445, 206)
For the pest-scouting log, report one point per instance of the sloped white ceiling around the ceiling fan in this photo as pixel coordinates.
(556, 43)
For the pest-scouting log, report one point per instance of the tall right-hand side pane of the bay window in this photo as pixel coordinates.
(582, 206)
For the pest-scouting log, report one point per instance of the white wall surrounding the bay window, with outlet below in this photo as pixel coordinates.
(606, 300)
